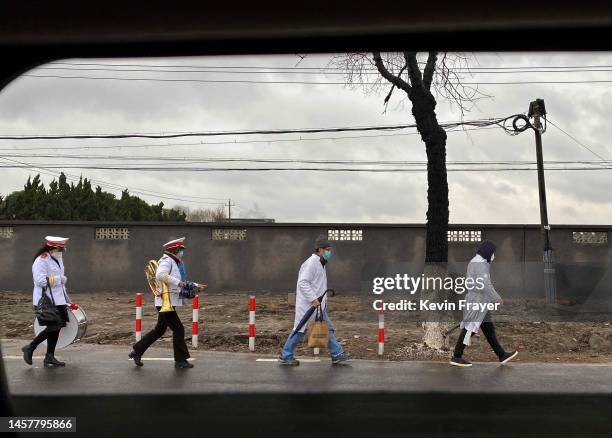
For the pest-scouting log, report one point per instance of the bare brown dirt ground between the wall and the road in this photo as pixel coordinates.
(224, 327)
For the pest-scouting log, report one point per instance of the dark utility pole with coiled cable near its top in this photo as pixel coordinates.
(537, 110)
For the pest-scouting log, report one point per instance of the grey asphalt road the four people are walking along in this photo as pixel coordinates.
(105, 369)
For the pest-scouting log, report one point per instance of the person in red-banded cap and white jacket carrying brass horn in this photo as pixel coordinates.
(171, 271)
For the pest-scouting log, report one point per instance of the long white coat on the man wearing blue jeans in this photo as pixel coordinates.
(311, 284)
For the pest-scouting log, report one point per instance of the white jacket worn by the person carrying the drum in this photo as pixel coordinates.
(45, 266)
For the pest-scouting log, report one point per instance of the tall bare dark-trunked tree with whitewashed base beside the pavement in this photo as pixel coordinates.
(424, 79)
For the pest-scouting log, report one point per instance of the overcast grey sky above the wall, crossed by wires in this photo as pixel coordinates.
(61, 106)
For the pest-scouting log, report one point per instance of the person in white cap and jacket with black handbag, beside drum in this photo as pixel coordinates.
(49, 278)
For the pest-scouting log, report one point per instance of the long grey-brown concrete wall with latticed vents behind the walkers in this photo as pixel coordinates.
(269, 259)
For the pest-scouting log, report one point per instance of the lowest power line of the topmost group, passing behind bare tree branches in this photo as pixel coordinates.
(230, 81)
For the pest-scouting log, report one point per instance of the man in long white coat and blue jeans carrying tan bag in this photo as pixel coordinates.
(311, 285)
